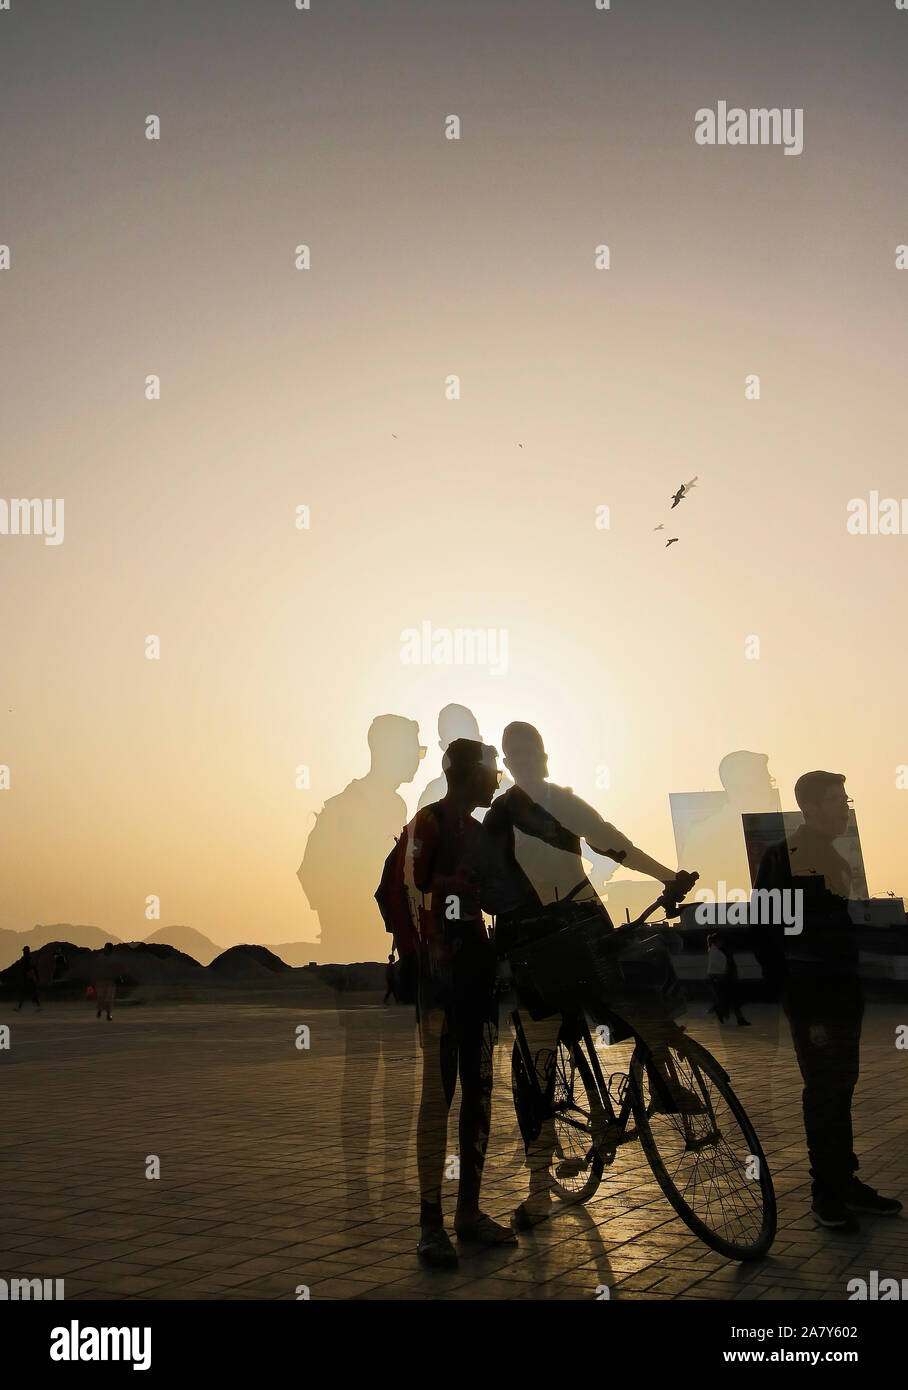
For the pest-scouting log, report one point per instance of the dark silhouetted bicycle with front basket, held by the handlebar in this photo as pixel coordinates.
(678, 1102)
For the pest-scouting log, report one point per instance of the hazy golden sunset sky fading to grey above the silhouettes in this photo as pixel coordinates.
(284, 389)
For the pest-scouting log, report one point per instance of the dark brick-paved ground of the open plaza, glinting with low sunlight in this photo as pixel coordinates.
(258, 1195)
